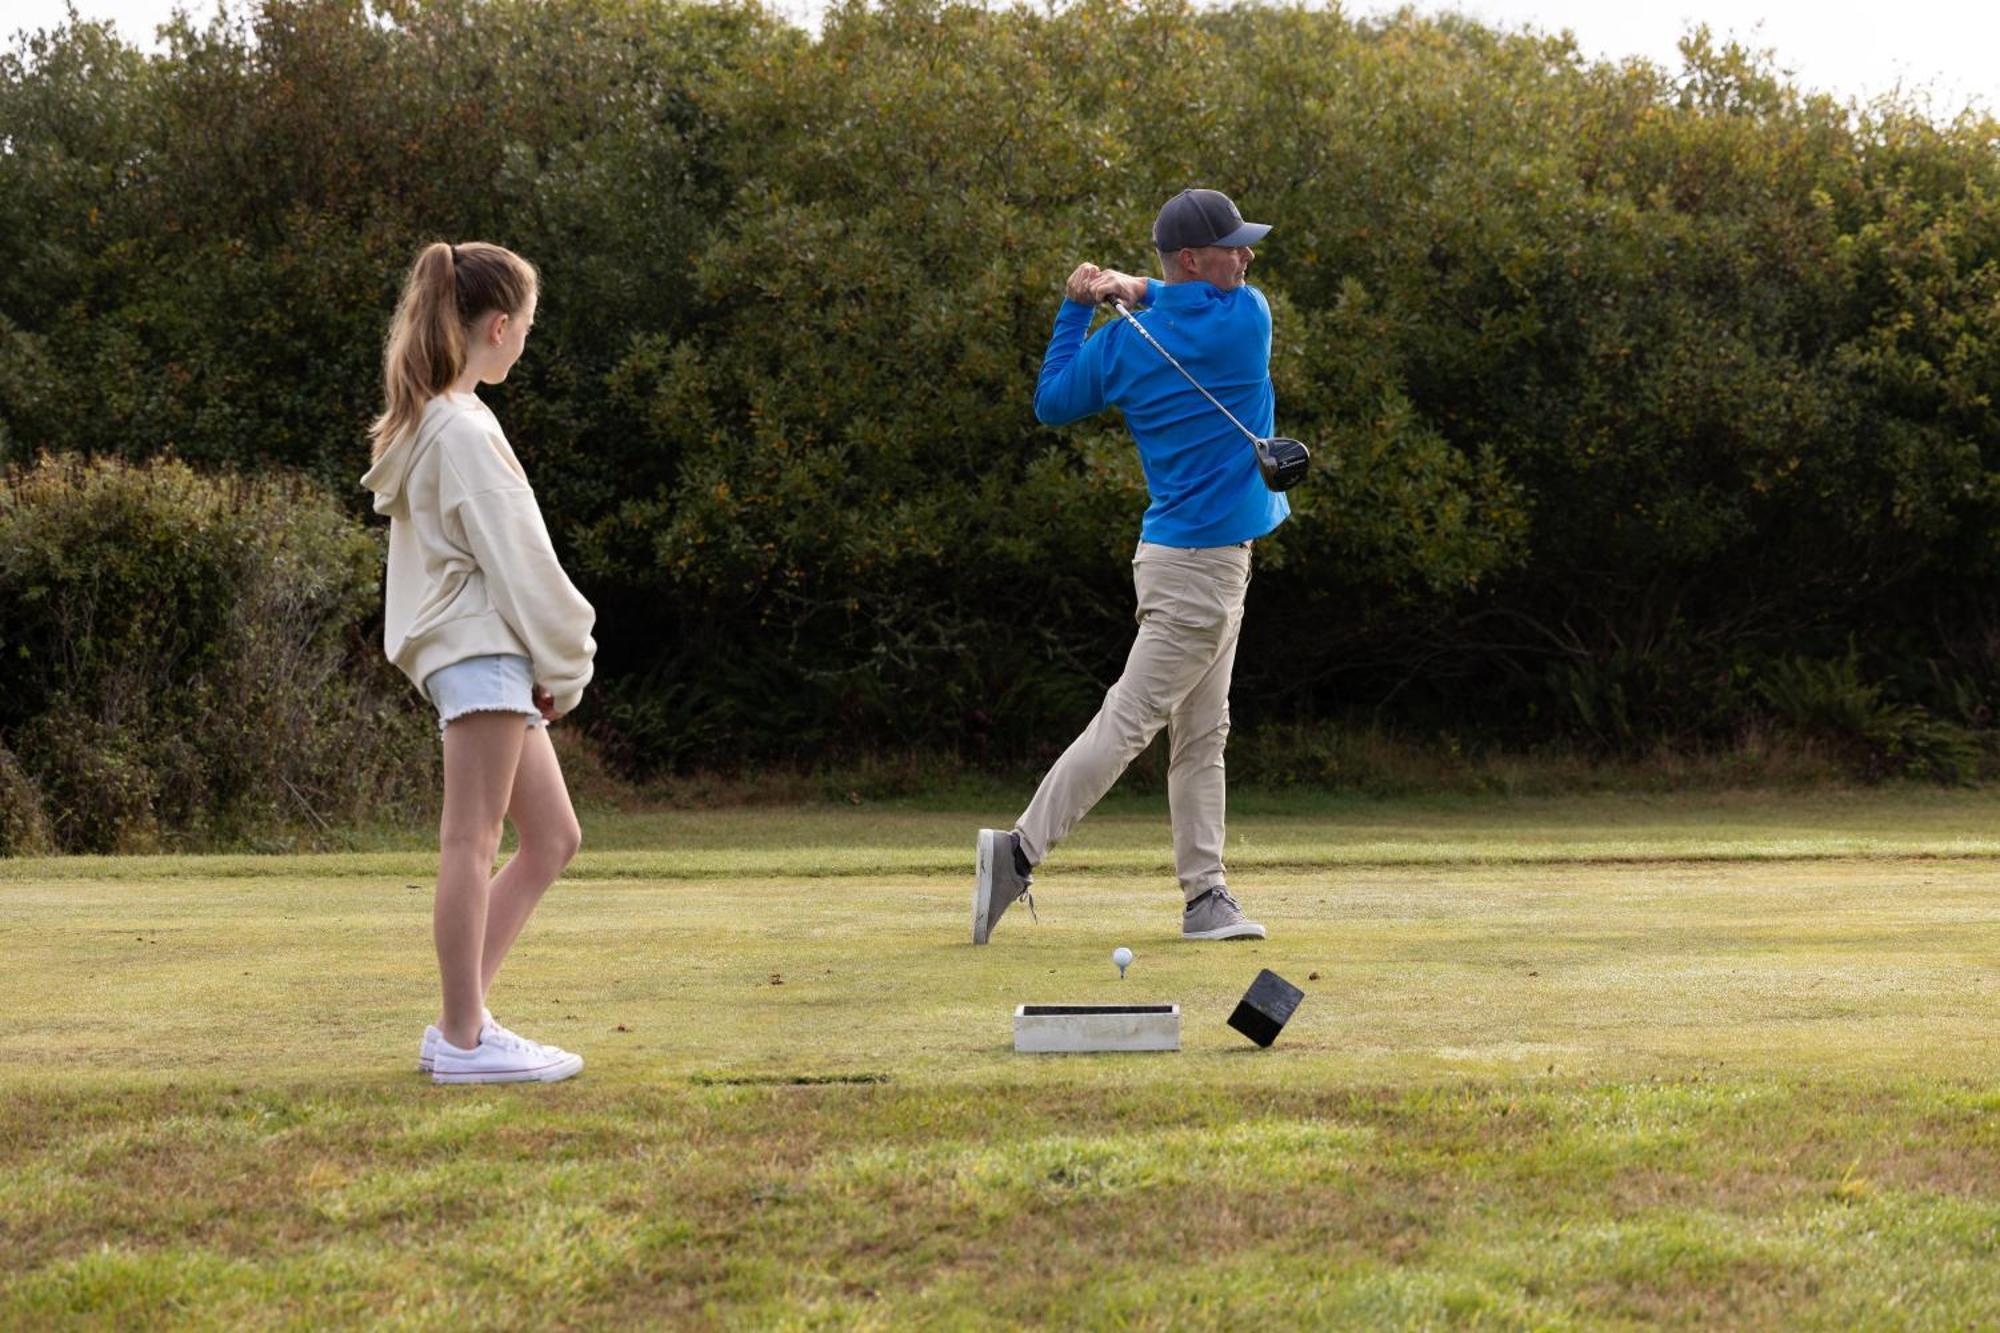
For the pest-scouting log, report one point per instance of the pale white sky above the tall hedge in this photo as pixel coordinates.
(1843, 47)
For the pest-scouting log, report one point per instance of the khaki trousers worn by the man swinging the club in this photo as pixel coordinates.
(1191, 607)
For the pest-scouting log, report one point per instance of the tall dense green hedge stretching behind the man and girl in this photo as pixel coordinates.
(1629, 385)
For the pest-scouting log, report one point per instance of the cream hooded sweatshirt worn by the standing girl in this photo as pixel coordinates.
(471, 569)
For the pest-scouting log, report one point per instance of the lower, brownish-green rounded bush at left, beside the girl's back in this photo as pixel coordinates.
(187, 659)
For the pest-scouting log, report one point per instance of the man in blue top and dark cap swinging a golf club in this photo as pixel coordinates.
(1209, 349)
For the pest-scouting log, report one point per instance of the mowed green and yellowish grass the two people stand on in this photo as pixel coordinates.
(1561, 1064)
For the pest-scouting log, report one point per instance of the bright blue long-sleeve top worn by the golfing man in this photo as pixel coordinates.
(1201, 471)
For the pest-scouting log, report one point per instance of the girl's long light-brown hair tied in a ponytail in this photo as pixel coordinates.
(447, 293)
